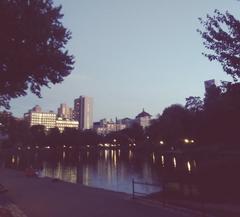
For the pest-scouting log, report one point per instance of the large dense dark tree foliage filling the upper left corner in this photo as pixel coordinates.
(32, 54)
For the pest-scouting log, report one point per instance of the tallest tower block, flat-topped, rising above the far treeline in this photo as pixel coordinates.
(83, 112)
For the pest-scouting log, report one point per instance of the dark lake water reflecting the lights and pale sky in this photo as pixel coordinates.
(108, 169)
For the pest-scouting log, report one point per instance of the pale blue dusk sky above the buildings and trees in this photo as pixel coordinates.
(132, 54)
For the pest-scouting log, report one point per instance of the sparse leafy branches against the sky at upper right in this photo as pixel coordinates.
(222, 36)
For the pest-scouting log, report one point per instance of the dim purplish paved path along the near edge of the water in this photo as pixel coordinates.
(40, 197)
